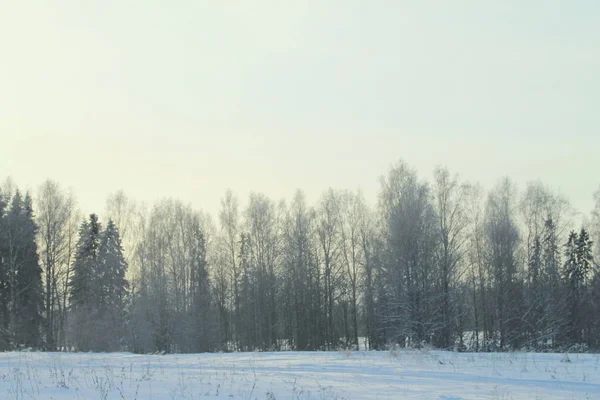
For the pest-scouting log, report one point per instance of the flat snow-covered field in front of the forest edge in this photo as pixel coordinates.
(294, 375)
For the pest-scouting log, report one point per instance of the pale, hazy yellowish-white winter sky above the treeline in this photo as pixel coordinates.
(184, 99)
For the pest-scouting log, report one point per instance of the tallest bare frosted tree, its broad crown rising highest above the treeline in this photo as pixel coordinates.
(409, 265)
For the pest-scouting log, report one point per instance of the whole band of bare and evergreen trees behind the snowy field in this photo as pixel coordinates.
(433, 262)
